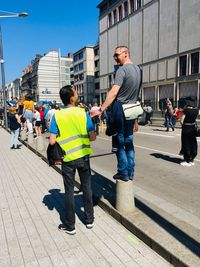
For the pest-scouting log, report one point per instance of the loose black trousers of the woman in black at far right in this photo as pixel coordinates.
(189, 142)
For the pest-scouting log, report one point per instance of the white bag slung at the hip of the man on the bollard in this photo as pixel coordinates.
(132, 111)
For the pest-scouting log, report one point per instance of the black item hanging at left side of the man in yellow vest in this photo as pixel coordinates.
(55, 154)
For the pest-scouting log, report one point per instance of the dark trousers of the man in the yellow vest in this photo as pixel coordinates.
(68, 172)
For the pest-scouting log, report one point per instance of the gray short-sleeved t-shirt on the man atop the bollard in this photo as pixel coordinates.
(128, 78)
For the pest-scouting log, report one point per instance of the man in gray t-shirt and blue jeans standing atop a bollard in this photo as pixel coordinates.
(125, 90)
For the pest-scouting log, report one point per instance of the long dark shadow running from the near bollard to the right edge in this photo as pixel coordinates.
(181, 236)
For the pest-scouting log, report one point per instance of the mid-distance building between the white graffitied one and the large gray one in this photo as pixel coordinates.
(84, 73)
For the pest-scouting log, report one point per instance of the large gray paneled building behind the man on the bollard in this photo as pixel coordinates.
(163, 38)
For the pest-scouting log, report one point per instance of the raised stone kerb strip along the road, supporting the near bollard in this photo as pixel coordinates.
(165, 228)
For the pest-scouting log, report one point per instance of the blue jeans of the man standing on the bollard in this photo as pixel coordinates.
(125, 153)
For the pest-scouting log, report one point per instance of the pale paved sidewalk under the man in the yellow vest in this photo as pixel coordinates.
(31, 206)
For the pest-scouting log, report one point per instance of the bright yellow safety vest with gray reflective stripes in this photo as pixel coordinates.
(73, 136)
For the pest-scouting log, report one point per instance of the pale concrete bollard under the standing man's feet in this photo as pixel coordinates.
(124, 196)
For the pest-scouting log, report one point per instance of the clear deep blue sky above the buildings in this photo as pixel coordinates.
(65, 24)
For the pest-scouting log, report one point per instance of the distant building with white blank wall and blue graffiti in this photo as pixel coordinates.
(46, 75)
